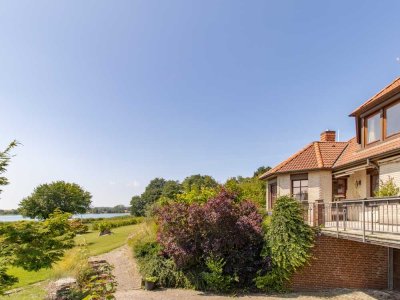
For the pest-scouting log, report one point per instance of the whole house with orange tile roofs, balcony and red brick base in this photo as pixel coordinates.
(336, 182)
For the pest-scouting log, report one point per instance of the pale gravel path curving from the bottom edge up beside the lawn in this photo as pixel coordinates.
(129, 281)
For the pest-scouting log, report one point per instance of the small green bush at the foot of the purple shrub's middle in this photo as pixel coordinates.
(214, 278)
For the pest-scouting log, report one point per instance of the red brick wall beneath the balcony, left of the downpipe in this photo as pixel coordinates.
(340, 263)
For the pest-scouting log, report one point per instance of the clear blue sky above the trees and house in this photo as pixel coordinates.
(110, 94)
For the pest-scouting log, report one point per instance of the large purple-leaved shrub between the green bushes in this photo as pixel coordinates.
(222, 228)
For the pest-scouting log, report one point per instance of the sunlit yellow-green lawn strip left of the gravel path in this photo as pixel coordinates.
(95, 245)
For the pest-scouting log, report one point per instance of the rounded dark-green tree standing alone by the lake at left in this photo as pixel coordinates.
(46, 198)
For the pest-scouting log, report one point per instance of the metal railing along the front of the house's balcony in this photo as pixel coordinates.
(367, 216)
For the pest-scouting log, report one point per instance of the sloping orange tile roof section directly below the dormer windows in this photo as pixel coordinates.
(355, 153)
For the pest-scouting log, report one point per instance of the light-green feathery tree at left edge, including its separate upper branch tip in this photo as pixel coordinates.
(30, 245)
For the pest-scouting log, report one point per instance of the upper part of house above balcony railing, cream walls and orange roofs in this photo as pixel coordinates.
(329, 171)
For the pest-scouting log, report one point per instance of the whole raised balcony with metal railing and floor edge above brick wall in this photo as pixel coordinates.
(374, 220)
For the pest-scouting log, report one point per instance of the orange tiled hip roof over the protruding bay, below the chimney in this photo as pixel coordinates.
(317, 155)
